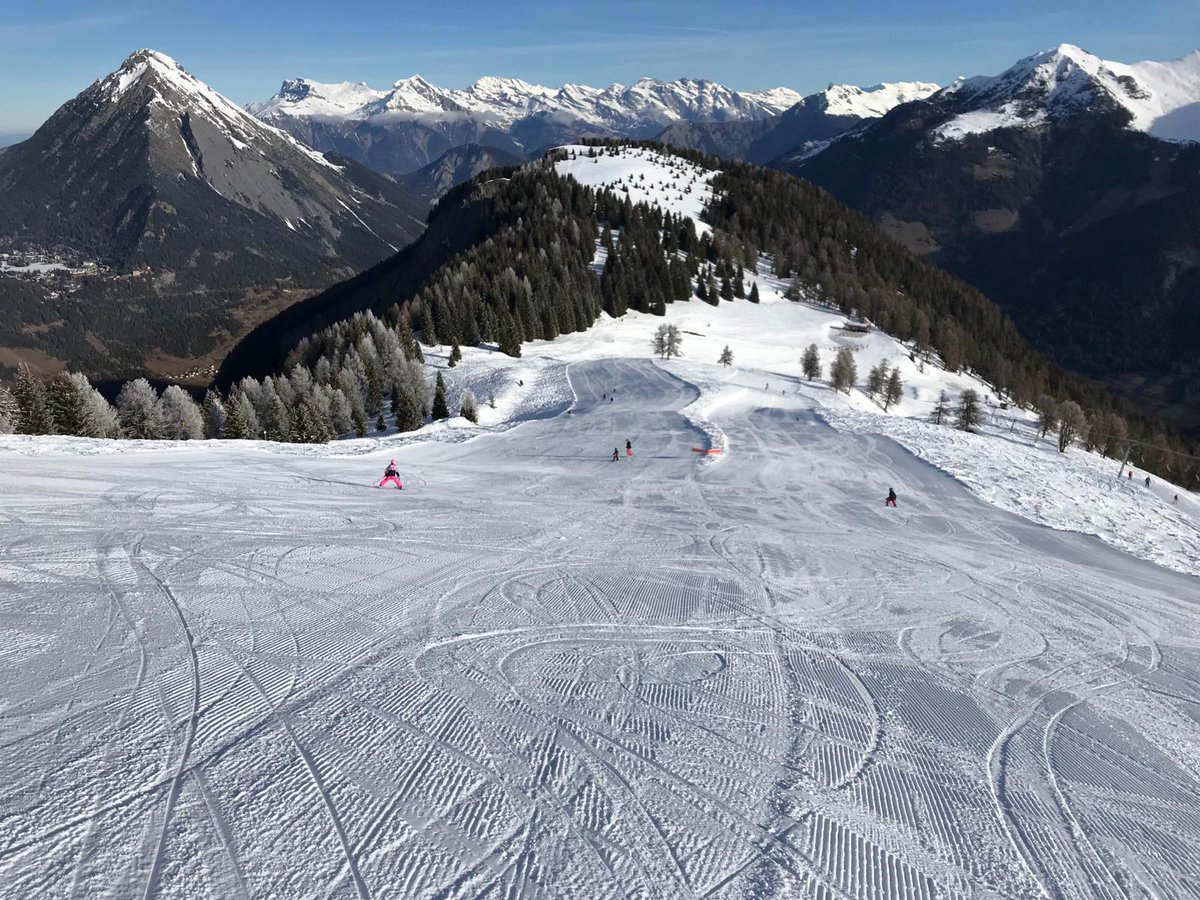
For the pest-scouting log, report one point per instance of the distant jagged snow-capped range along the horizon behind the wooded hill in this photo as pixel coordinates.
(415, 123)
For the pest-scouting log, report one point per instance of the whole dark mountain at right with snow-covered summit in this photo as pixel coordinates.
(1069, 190)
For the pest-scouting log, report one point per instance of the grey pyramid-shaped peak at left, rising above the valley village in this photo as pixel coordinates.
(149, 158)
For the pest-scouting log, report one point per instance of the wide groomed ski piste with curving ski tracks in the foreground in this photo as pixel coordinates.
(536, 673)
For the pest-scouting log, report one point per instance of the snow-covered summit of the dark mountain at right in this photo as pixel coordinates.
(1161, 99)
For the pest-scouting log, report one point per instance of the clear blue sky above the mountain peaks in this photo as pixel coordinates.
(51, 51)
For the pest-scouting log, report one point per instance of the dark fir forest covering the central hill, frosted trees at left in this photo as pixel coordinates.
(535, 279)
